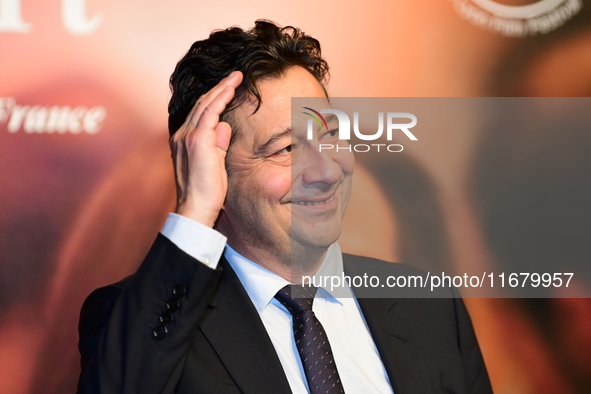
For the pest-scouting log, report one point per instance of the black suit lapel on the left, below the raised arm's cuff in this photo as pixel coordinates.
(236, 332)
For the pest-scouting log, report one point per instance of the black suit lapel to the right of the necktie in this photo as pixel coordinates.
(385, 318)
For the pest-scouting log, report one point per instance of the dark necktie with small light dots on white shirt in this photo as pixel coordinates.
(311, 340)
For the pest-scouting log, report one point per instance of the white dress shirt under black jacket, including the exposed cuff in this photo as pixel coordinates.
(356, 356)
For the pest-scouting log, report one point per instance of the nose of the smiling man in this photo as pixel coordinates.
(321, 167)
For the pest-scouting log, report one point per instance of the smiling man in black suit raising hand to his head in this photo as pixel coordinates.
(208, 311)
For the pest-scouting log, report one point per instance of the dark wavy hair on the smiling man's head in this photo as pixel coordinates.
(266, 51)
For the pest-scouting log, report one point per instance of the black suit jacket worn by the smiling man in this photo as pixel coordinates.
(217, 343)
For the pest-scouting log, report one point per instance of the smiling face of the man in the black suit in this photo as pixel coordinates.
(283, 193)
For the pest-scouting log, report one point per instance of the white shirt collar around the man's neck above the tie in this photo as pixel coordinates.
(262, 284)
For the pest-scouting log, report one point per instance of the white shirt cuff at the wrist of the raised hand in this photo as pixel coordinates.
(197, 240)
